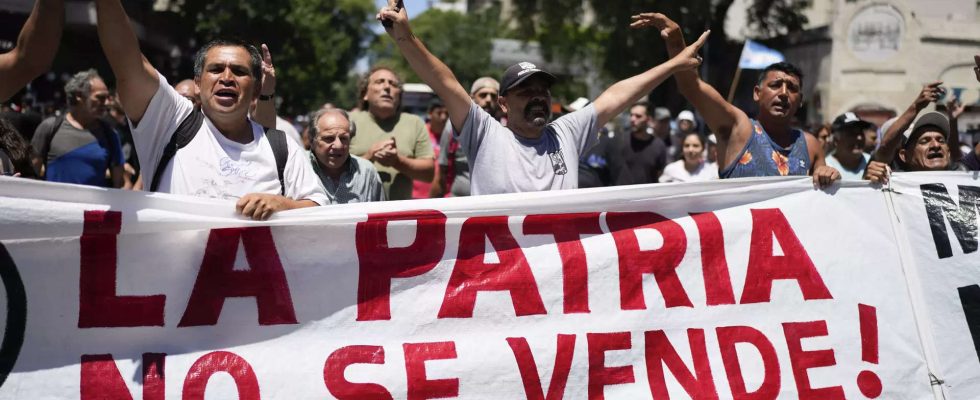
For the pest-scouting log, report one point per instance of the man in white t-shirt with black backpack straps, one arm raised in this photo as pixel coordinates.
(230, 156)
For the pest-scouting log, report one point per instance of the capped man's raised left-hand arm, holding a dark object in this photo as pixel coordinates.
(433, 72)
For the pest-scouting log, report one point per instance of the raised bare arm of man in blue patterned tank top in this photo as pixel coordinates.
(722, 117)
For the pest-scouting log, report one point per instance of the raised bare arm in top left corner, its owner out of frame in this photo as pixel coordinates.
(36, 47)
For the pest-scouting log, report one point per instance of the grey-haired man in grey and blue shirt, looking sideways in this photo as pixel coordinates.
(79, 147)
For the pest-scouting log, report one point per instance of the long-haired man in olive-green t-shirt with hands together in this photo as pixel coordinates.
(396, 142)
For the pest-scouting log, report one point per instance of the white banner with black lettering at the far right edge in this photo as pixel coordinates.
(939, 214)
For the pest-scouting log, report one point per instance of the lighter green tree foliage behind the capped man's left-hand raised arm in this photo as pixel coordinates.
(462, 41)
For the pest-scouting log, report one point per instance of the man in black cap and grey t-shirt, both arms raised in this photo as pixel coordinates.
(529, 154)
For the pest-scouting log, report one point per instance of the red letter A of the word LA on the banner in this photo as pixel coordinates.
(217, 280)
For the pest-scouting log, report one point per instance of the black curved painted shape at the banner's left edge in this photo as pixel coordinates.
(13, 336)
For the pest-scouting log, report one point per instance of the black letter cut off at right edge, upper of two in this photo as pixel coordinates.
(962, 219)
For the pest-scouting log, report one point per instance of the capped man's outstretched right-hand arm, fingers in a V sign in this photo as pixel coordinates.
(628, 91)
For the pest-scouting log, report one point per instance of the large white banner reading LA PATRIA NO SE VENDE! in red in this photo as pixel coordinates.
(748, 289)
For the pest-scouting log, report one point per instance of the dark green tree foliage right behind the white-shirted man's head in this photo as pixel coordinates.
(314, 43)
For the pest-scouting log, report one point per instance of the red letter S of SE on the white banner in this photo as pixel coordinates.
(340, 387)
